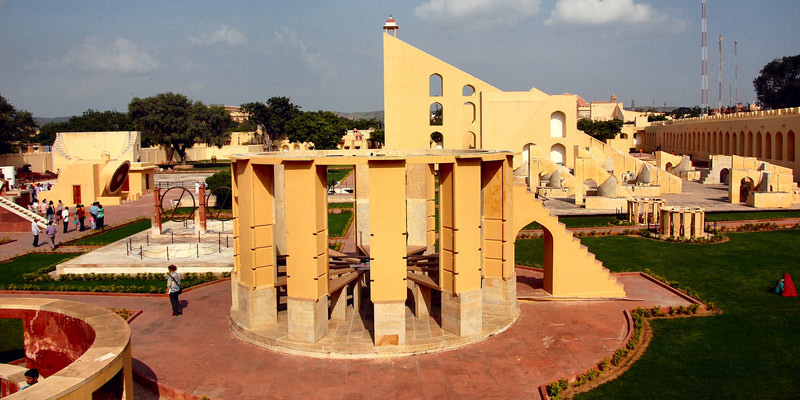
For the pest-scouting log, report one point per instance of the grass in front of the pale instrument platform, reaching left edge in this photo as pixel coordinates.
(11, 277)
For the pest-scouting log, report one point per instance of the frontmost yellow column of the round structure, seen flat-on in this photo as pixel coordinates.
(388, 268)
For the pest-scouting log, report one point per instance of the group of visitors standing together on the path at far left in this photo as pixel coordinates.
(61, 213)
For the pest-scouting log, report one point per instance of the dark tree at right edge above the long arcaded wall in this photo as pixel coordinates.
(778, 83)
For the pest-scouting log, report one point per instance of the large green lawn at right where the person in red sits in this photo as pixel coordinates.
(750, 351)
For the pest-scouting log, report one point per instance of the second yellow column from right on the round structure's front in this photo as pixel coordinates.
(460, 253)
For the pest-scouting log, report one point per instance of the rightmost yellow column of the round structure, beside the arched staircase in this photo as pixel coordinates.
(500, 280)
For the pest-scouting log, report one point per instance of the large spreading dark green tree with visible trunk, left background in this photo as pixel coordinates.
(175, 123)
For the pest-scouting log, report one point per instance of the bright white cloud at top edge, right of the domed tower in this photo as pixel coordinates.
(599, 12)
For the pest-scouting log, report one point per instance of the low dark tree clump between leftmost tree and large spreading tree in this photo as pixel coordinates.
(89, 121)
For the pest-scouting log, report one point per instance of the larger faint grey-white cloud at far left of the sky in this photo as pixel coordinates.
(119, 56)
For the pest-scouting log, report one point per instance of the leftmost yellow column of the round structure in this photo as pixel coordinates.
(253, 282)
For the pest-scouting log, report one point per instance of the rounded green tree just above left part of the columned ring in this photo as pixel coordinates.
(324, 128)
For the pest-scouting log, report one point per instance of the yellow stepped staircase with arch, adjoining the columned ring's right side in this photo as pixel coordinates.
(573, 271)
